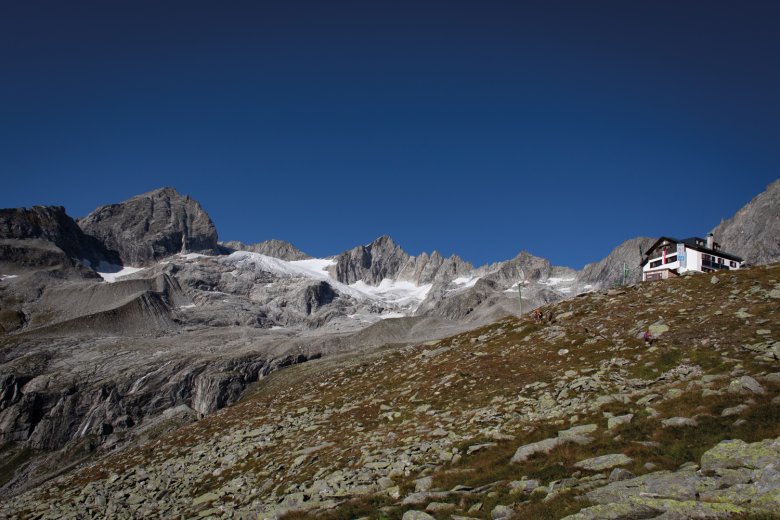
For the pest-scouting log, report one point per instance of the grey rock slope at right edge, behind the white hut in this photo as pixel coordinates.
(754, 231)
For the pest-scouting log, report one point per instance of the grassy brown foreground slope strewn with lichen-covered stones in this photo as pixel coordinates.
(576, 417)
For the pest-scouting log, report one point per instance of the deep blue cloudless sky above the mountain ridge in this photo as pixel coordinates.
(481, 128)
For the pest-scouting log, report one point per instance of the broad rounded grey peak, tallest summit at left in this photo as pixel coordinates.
(152, 226)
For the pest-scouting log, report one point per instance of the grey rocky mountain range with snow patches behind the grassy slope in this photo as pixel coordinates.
(136, 313)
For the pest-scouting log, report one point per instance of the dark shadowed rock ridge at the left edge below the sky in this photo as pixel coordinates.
(45, 236)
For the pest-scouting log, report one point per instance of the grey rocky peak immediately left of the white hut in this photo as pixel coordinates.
(609, 271)
